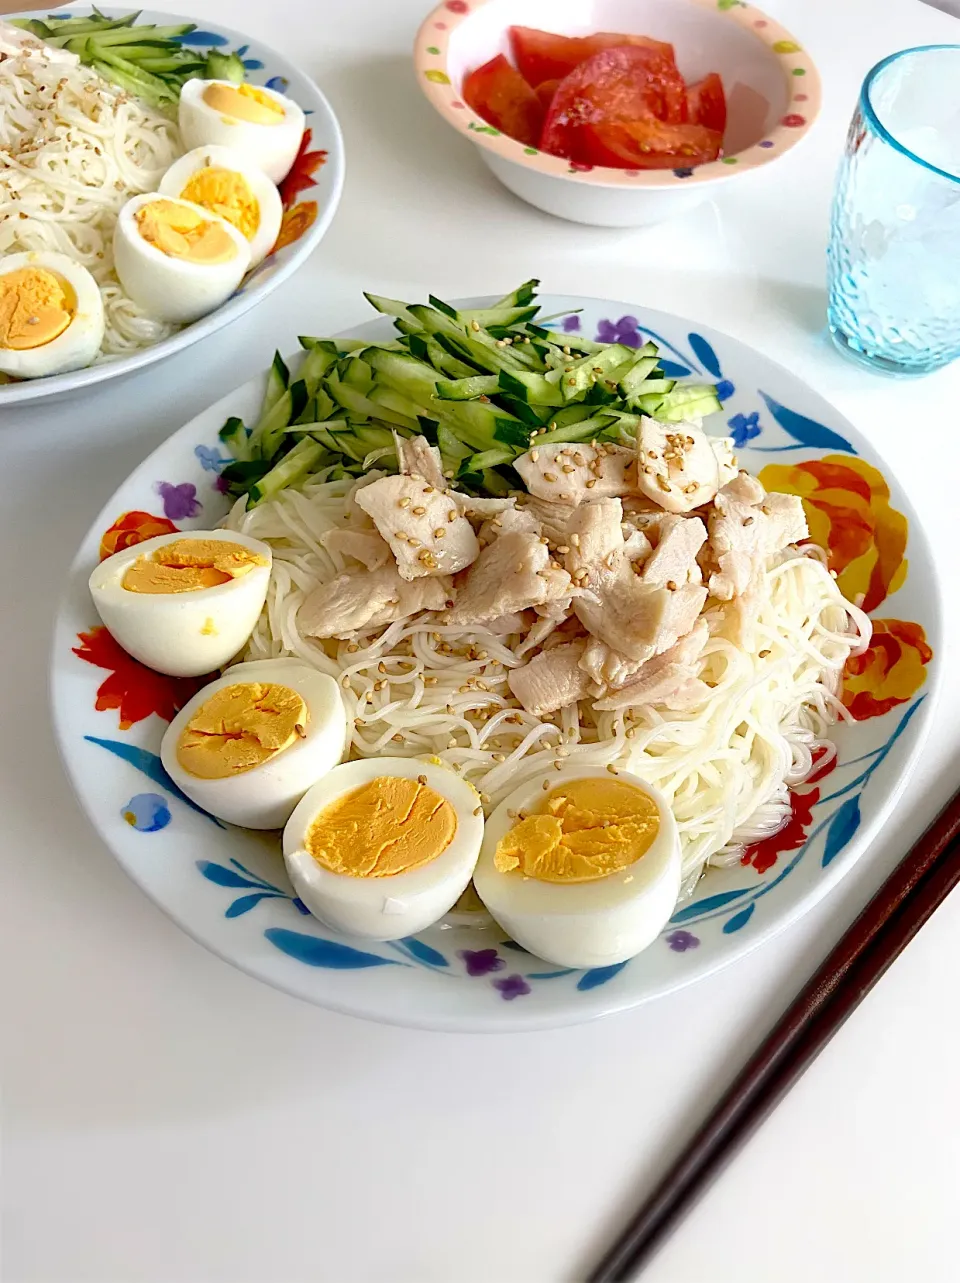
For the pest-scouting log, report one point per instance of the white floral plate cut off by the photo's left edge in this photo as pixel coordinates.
(311, 194)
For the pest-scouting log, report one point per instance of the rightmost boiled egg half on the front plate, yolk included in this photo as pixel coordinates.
(582, 867)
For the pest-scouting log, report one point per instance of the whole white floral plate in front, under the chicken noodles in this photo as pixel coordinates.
(228, 888)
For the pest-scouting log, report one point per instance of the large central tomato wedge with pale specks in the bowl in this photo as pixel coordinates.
(626, 84)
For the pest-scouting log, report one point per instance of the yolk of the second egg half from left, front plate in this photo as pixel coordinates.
(239, 728)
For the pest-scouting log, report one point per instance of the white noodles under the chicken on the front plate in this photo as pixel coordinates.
(422, 687)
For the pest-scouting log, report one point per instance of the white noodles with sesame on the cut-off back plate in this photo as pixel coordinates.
(74, 149)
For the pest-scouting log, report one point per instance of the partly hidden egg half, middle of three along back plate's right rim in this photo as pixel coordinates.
(223, 182)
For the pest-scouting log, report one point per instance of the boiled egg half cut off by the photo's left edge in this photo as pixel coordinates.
(52, 315)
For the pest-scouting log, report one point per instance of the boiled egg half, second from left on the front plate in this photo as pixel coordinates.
(250, 745)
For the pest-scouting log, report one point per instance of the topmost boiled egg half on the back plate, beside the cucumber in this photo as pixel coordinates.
(265, 126)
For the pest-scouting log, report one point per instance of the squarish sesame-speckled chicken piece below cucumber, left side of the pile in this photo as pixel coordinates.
(422, 524)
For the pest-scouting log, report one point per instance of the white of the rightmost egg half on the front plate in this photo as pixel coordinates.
(582, 924)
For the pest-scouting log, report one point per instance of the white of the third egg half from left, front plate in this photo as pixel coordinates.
(384, 909)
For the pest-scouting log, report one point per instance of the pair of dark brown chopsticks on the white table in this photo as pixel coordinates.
(916, 888)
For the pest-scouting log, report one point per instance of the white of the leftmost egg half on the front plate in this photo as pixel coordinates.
(182, 634)
